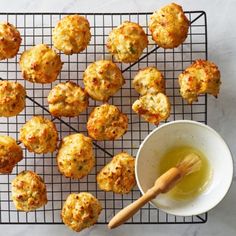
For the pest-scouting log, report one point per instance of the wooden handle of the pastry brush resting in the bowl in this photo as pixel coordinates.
(163, 184)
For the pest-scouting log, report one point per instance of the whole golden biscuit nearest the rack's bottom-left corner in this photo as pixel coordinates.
(28, 191)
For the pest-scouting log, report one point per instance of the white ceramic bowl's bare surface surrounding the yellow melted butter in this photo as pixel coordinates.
(198, 136)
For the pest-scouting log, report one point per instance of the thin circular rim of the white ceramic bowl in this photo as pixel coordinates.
(229, 183)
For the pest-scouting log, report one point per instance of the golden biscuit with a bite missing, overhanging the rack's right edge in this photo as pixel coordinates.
(199, 78)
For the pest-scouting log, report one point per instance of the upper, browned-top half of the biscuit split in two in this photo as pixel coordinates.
(149, 80)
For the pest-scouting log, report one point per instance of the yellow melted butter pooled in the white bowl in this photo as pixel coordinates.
(191, 185)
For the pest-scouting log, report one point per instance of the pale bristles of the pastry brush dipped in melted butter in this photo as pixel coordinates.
(190, 164)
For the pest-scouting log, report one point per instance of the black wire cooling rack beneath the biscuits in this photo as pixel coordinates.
(37, 28)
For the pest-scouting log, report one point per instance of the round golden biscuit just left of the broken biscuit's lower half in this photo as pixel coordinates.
(107, 122)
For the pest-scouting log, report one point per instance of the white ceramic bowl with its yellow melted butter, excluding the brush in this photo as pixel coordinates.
(198, 193)
